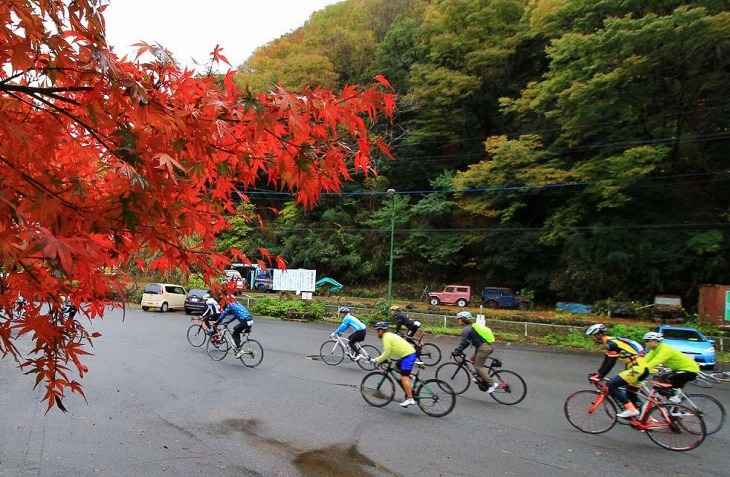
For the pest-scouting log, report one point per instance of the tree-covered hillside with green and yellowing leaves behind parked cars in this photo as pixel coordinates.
(574, 148)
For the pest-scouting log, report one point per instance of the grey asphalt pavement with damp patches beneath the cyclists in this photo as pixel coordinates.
(157, 406)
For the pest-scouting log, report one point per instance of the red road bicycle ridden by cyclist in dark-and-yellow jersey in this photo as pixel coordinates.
(672, 426)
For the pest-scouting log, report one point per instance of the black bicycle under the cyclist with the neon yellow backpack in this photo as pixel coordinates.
(511, 388)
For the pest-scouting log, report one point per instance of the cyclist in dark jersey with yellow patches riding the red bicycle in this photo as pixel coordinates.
(635, 371)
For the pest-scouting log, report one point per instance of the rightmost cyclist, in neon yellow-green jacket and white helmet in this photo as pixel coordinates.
(683, 369)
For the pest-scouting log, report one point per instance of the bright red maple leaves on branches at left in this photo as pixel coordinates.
(104, 160)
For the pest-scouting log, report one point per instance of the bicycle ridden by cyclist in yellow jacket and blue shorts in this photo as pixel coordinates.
(433, 396)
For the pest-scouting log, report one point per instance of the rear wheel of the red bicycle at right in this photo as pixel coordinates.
(678, 427)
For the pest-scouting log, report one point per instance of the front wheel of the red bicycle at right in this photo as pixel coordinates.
(590, 412)
